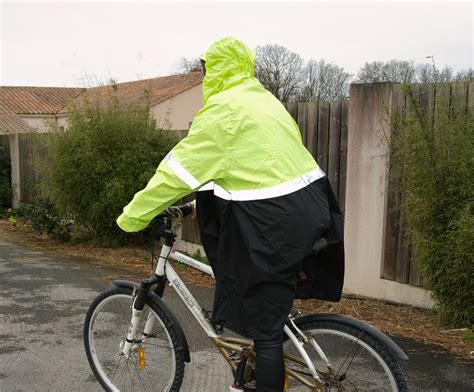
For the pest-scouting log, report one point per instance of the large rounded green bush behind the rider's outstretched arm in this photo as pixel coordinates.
(108, 153)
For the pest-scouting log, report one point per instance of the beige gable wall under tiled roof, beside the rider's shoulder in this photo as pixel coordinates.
(176, 113)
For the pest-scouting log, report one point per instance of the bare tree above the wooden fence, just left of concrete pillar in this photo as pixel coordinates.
(325, 81)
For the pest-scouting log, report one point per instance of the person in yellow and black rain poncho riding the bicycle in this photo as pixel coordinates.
(264, 206)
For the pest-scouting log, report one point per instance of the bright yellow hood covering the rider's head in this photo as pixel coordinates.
(228, 62)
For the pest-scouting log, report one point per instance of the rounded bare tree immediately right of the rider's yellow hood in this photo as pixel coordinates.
(280, 71)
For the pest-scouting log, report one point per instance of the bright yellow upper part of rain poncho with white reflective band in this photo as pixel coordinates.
(242, 143)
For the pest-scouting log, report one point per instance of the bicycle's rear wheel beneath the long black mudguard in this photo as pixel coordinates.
(359, 362)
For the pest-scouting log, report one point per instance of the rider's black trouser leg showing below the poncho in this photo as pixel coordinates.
(270, 365)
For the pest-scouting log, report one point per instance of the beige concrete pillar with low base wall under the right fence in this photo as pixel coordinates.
(366, 199)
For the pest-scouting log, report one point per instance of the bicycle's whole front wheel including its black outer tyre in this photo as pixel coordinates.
(105, 328)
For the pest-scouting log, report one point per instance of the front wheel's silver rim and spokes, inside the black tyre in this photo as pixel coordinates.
(152, 361)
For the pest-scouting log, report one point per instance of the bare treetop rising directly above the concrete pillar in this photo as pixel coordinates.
(394, 71)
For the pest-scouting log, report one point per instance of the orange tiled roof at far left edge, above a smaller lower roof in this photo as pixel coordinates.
(37, 100)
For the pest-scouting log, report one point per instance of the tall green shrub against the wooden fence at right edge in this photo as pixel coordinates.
(432, 159)
